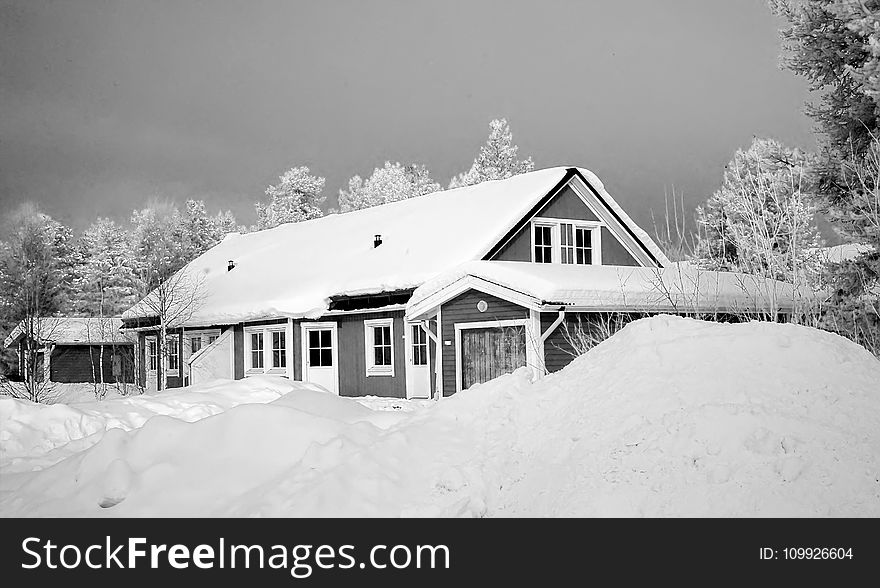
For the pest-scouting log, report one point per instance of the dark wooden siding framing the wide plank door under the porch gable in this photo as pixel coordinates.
(463, 309)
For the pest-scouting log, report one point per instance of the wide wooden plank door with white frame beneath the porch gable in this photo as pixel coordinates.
(487, 353)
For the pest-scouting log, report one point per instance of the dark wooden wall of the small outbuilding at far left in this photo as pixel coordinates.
(82, 363)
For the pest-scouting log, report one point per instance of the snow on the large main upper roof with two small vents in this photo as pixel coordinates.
(294, 269)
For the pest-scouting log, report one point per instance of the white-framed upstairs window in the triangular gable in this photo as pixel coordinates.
(566, 241)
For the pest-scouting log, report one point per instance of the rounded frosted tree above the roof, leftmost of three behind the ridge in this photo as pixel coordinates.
(296, 198)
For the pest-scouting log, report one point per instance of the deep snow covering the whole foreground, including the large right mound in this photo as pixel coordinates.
(670, 417)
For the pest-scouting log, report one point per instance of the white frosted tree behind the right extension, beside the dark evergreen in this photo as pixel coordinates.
(760, 221)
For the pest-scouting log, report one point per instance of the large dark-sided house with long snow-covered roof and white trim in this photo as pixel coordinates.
(428, 296)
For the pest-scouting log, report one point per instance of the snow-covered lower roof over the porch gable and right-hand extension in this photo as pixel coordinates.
(677, 287)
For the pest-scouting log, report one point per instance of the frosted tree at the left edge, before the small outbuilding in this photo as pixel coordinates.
(36, 275)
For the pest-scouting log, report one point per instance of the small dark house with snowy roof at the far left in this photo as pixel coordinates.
(69, 349)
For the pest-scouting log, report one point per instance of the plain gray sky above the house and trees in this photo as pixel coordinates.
(108, 104)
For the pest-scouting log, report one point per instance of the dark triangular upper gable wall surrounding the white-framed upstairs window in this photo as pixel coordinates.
(566, 204)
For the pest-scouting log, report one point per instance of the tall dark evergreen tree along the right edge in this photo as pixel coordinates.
(835, 44)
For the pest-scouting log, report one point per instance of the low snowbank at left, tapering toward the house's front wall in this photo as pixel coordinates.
(39, 435)
